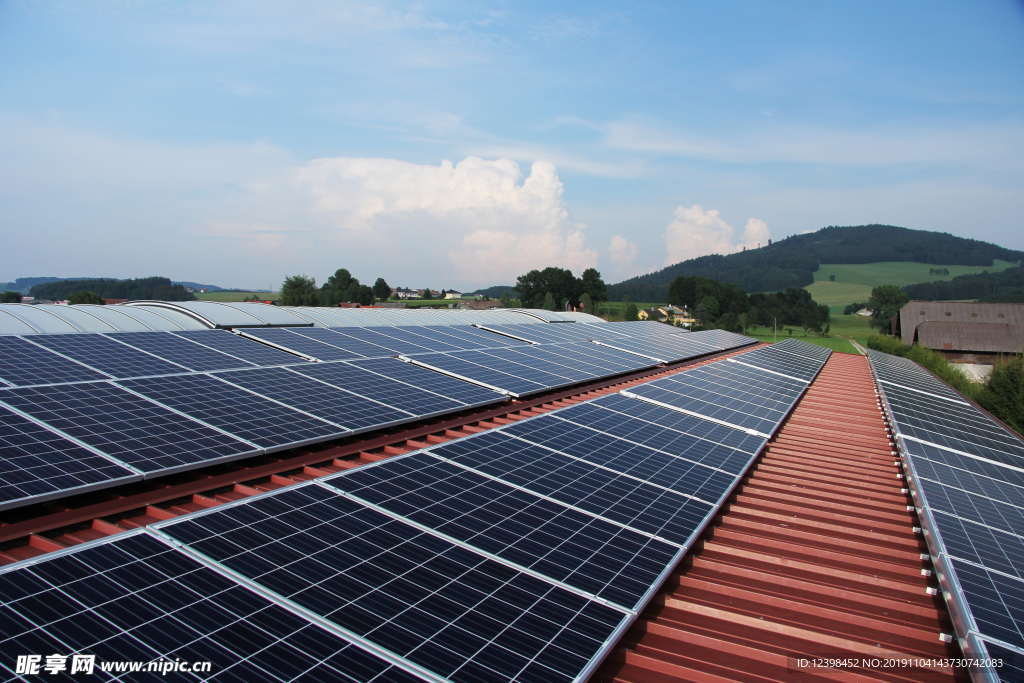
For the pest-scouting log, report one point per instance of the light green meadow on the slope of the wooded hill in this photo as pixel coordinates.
(855, 281)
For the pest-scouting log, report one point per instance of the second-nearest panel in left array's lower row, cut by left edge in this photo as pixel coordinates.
(127, 428)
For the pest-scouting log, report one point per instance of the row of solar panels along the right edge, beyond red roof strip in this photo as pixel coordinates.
(967, 476)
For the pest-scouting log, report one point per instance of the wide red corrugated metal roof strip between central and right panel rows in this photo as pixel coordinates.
(816, 556)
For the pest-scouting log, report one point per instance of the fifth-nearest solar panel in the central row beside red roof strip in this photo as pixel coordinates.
(690, 478)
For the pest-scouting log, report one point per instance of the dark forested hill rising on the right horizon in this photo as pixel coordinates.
(794, 262)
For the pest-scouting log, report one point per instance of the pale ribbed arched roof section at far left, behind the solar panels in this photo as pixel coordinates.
(21, 319)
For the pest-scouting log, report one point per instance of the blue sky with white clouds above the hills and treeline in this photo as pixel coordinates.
(459, 145)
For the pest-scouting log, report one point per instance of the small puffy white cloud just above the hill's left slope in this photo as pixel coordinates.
(695, 232)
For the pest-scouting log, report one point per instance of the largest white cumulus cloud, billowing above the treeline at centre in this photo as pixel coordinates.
(479, 222)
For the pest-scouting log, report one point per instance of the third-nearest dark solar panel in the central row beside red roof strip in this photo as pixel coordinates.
(585, 552)
